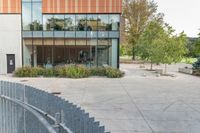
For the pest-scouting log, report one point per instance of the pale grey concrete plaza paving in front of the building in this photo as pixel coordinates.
(134, 103)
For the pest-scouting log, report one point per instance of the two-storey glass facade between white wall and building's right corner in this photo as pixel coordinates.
(57, 39)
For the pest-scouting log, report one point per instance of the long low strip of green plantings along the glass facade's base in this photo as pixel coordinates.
(70, 71)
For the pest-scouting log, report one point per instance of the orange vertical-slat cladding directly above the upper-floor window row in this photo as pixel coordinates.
(82, 6)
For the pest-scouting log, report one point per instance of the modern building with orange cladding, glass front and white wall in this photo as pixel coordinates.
(50, 33)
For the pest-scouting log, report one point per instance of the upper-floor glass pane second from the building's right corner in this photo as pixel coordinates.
(103, 22)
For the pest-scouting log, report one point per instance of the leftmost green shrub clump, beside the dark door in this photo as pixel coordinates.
(28, 71)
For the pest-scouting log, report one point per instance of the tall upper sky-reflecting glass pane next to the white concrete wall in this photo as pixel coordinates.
(26, 16)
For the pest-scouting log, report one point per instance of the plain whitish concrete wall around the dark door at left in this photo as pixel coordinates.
(10, 40)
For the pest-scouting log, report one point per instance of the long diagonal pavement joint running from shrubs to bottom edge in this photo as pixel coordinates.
(133, 102)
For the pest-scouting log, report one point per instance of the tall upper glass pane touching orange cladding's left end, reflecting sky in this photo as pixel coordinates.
(37, 16)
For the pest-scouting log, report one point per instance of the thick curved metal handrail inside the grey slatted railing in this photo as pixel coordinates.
(35, 113)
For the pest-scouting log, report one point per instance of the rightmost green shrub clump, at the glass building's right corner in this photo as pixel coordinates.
(114, 73)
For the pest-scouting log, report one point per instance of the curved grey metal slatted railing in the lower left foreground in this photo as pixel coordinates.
(25, 109)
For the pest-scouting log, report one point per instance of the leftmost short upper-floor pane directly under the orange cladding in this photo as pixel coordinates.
(48, 22)
